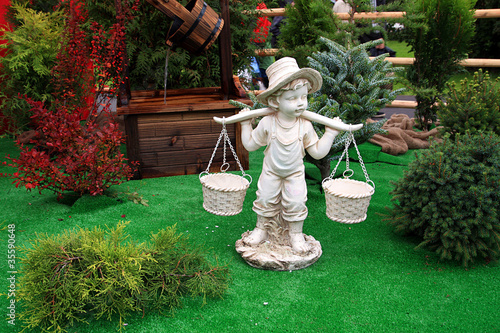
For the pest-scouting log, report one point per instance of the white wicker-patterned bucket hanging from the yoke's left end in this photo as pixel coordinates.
(224, 193)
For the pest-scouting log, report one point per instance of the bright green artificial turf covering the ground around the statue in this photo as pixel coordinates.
(368, 279)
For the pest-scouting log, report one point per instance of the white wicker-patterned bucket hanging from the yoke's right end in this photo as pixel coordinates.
(347, 200)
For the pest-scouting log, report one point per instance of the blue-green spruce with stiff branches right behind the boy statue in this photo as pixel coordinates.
(355, 88)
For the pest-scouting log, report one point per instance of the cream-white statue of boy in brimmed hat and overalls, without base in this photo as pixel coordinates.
(282, 186)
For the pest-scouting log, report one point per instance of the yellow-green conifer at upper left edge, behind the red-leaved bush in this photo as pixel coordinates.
(31, 52)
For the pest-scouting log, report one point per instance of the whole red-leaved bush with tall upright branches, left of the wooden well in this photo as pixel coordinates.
(72, 151)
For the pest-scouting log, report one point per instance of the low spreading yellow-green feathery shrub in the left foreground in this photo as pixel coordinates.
(95, 273)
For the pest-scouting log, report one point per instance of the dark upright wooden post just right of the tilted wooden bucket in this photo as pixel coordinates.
(226, 62)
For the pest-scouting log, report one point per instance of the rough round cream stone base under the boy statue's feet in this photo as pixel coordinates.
(278, 257)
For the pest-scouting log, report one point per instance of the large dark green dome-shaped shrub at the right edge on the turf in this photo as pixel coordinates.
(449, 197)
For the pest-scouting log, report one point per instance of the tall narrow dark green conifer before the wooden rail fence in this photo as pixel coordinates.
(440, 34)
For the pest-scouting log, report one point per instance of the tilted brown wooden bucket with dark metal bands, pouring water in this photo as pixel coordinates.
(195, 27)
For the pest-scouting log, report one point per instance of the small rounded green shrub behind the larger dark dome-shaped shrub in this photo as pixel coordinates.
(473, 105)
